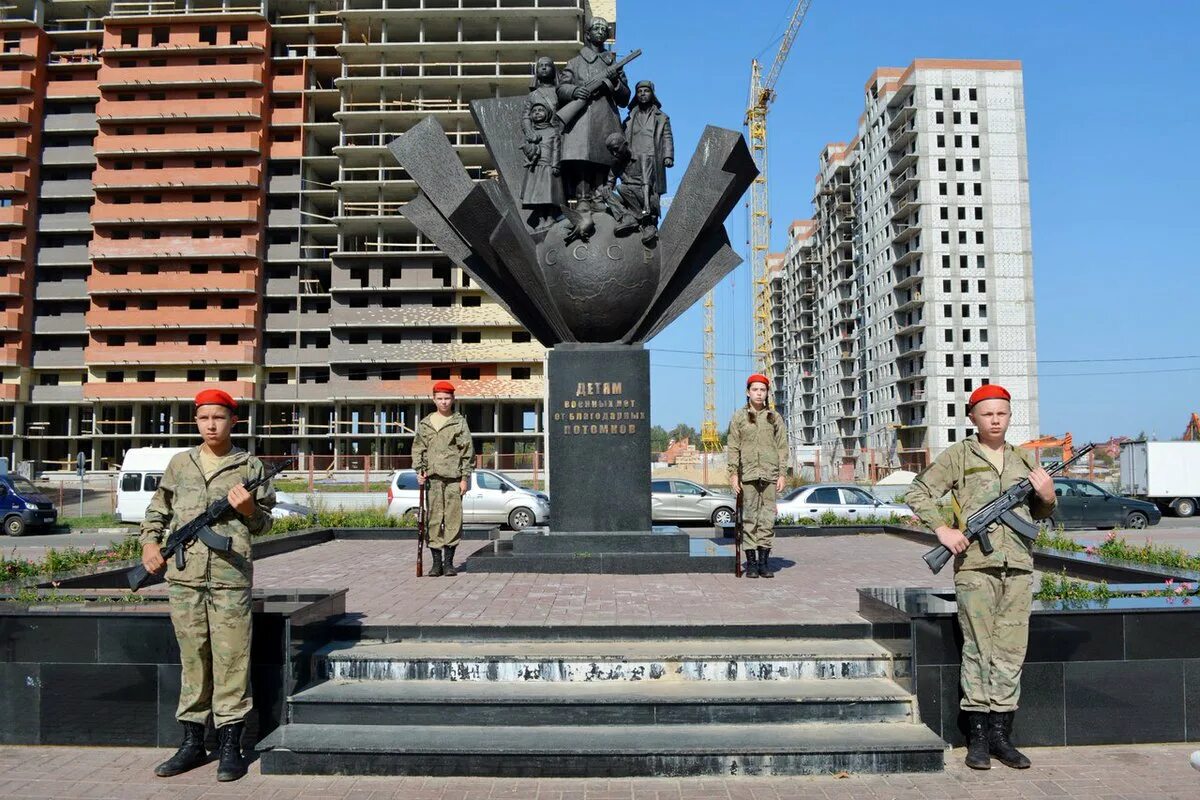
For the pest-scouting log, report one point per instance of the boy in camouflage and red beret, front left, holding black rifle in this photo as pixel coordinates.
(211, 606)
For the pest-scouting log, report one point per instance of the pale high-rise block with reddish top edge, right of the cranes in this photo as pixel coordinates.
(913, 285)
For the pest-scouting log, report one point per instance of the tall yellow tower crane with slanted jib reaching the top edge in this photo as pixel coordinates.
(763, 94)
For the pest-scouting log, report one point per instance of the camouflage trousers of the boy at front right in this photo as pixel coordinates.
(994, 612)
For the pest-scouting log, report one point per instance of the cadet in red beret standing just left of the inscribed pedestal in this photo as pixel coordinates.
(443, 454)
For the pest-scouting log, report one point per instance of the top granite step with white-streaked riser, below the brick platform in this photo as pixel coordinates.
(602, 661)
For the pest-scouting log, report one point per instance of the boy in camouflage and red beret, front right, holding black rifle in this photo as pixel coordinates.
(994, 592)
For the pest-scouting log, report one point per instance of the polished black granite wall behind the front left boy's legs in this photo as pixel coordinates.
(111, 676)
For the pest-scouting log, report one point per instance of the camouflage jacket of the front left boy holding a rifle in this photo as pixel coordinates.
(184, 494)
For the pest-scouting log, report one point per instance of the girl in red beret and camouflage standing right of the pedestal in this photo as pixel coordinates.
(758, 465)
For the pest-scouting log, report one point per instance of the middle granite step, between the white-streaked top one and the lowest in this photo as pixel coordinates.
(561, 703)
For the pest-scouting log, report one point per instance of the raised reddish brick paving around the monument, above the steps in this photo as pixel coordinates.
(817, 584)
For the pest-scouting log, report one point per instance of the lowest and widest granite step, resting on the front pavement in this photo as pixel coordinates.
(609, 751)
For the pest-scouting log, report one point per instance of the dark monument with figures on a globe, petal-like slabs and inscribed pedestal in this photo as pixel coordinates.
(568, 239)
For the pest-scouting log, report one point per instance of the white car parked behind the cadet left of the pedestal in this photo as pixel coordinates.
(491, 498)
